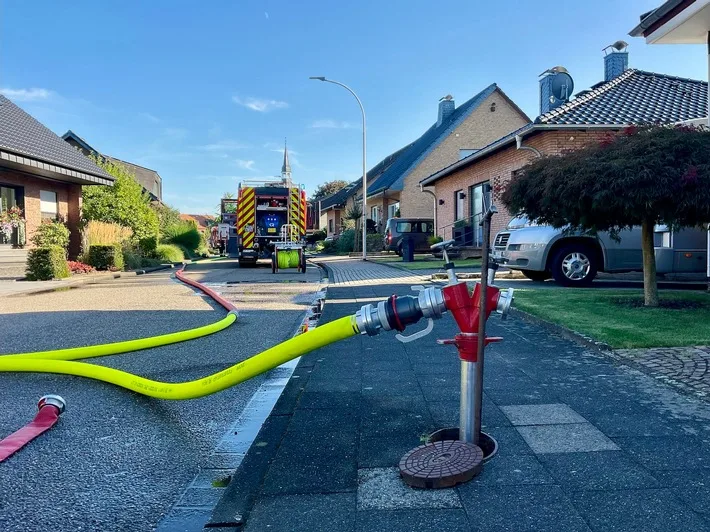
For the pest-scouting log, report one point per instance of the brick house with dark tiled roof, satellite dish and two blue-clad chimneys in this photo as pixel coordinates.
(625, 97)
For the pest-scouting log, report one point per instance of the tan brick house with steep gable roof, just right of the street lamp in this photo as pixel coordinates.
(457, 132)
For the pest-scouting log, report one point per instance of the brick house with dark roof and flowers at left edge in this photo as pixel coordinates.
(41, 174)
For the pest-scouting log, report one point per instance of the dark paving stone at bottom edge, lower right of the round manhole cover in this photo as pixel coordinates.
(540, 508)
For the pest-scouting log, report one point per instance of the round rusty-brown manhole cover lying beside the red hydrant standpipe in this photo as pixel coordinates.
(441, 464)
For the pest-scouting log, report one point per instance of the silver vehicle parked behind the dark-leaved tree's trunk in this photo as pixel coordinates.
(574, 258)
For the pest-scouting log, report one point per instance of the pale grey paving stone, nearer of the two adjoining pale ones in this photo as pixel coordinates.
(569, 438)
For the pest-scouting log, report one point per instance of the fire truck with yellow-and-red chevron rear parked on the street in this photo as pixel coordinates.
(263, 209)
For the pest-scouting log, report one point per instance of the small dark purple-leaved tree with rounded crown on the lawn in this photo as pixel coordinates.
(642, 177)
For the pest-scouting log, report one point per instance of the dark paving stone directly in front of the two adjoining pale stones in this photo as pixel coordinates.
(603, 470)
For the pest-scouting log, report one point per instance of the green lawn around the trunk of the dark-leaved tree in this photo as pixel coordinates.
(611, 317)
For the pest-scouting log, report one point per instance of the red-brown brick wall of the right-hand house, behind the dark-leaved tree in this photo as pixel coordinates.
(498, 169)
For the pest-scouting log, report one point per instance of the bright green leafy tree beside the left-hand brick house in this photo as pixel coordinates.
(124, 203)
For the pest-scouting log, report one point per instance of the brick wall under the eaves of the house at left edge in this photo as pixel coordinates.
(68, 200)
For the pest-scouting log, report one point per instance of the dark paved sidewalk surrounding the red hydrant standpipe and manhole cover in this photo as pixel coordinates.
(586, 443)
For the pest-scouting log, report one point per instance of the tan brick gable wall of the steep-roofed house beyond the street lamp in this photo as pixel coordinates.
(482, 127)
